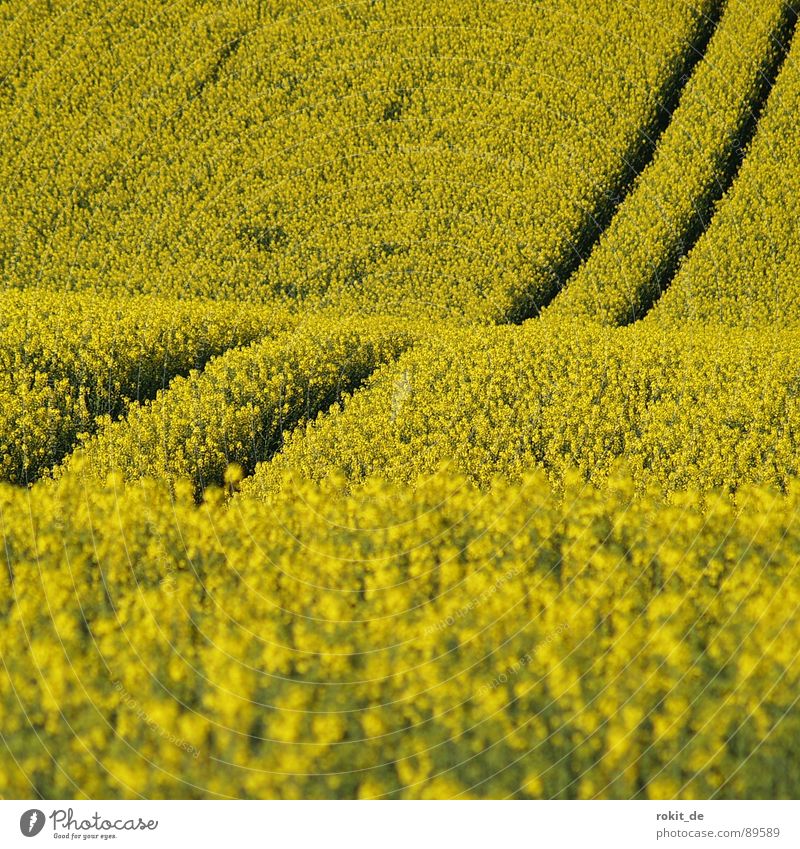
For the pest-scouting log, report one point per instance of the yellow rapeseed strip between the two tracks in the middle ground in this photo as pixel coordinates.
(238, 407)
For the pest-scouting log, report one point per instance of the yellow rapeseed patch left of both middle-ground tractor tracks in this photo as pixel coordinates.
(66, 360)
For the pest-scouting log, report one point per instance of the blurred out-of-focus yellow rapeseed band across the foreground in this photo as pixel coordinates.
(437, 641)
